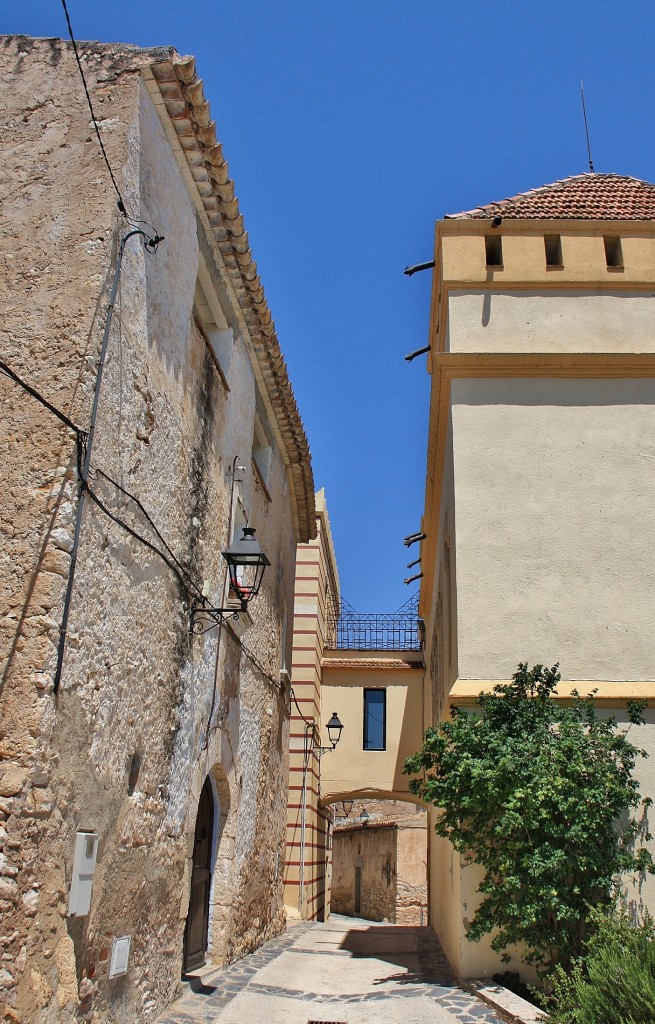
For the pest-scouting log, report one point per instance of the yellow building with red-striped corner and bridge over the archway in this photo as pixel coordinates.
(369, 670)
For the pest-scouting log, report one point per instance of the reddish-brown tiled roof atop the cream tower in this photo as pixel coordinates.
(584, 197)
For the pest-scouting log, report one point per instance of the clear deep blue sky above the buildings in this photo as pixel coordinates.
(351, 127)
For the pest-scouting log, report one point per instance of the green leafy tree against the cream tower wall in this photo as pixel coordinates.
(540, 794)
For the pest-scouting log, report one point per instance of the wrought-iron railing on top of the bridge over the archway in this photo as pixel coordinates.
(355, 630)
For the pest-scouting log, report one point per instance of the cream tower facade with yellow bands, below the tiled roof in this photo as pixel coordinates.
(540, 498)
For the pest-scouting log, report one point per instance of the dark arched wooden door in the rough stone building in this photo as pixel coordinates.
(198, 917)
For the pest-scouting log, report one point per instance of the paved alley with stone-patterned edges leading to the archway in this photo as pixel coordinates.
(346, 971)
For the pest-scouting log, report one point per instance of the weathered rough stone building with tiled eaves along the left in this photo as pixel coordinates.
(143, 765)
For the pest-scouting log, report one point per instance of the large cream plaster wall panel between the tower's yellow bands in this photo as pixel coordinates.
(555, 513)
